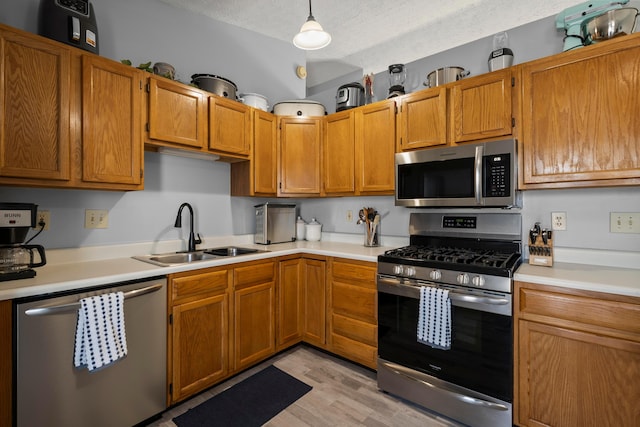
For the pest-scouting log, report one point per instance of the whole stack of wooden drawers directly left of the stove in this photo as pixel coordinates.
(353, 321)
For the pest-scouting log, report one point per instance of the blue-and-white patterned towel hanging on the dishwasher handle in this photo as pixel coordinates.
(100, 333)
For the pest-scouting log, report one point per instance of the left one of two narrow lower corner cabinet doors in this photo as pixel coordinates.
(290, 302)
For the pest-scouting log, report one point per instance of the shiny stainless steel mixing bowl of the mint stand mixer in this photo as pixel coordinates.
(616, 22)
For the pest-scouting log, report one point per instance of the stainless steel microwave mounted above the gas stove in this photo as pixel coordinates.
(469, 175)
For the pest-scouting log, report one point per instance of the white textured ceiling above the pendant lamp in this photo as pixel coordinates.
(372, 34)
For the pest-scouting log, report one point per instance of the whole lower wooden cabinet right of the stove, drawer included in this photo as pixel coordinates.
(577, 357)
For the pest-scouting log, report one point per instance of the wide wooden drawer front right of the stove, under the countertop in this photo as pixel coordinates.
(619, 315)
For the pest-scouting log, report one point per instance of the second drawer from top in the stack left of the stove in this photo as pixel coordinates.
(354, 301)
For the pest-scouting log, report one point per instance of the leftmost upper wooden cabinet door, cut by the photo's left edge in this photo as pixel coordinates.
(35, 96)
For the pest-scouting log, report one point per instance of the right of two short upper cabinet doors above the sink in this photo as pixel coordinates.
(229, 126)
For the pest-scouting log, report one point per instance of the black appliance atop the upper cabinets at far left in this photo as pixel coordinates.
(69, 21)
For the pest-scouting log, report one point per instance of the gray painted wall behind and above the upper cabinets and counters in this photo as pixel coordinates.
(145, 30)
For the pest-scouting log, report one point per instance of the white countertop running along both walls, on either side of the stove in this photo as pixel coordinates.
(75, 269)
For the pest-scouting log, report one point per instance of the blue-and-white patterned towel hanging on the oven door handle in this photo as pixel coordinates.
(434, 320)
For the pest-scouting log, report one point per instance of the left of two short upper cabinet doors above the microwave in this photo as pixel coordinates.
(423, 120)
